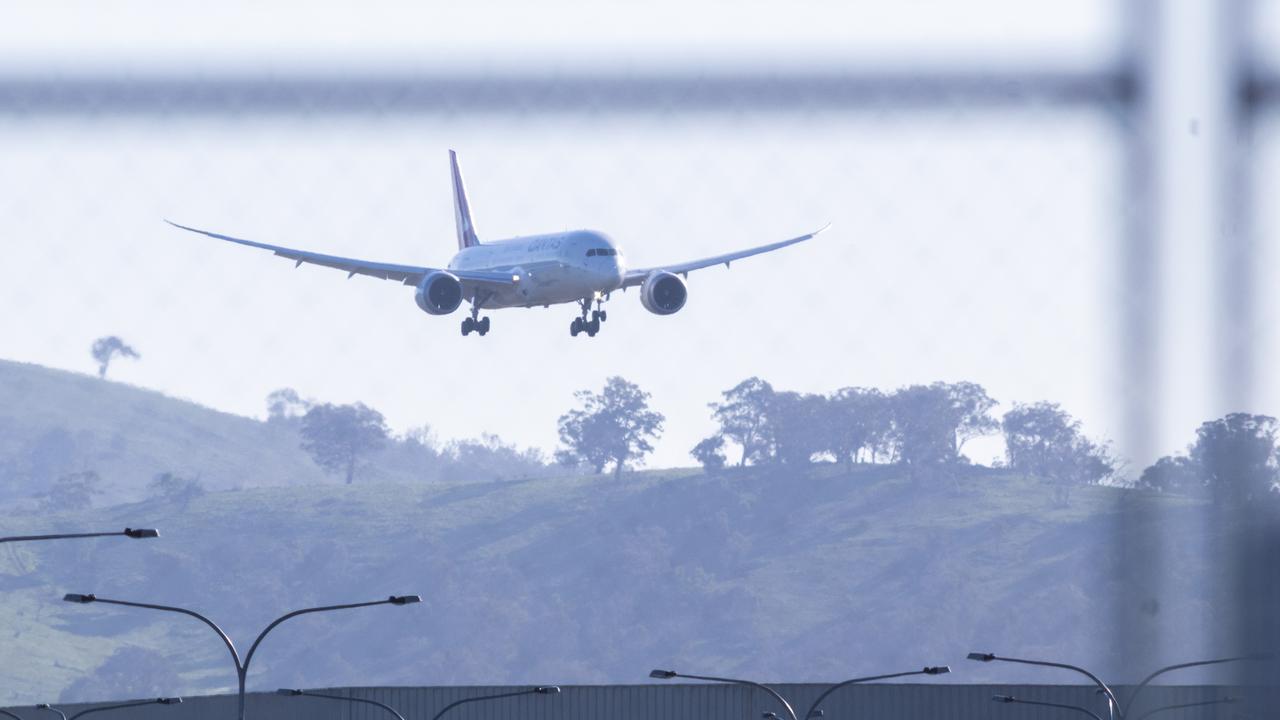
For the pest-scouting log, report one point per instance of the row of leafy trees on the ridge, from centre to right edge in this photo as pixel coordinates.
(924, 429)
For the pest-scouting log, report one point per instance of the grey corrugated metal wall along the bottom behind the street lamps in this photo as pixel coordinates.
(673, 703)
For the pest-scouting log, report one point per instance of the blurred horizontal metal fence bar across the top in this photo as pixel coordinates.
(383, 94)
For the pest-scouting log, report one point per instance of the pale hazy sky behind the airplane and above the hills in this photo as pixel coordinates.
(966, 244)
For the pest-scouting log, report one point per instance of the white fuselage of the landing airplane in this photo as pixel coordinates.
(554, 268)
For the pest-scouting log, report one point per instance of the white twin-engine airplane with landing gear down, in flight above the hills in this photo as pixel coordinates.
(582, 267)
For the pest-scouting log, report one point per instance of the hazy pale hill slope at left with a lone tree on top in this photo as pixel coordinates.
(54, 422)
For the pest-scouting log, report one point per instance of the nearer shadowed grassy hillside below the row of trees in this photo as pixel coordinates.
(577, 580)
